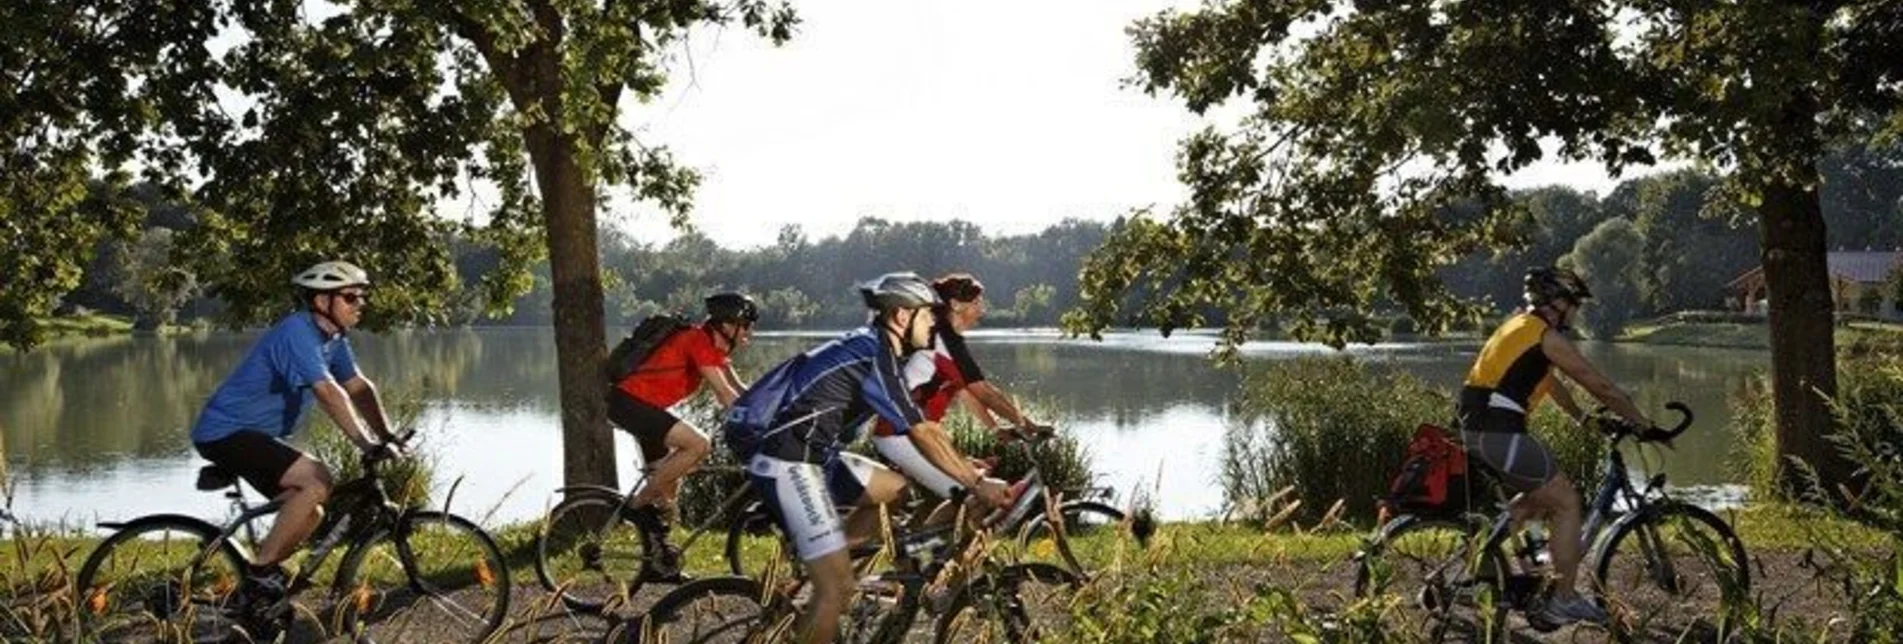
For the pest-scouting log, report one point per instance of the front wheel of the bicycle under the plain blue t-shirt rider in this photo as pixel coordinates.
(435, 578)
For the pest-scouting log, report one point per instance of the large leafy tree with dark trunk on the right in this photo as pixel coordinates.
(1365, 119)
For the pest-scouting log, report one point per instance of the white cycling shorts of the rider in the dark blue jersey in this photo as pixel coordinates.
(806, 498)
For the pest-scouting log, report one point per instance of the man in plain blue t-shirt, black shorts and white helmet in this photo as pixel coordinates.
(305, 357)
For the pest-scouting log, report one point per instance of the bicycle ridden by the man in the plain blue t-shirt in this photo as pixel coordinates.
(182, 578)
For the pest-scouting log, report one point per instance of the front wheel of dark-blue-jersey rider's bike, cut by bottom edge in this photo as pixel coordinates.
(1004, 595)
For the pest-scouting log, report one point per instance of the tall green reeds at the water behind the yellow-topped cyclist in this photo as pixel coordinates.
(1337, 430)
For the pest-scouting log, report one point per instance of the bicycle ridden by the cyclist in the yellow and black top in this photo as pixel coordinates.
(1464, 582)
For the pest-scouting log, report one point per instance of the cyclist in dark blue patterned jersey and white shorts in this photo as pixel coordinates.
(793, 426)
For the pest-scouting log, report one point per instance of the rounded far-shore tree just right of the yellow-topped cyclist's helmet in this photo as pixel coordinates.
(1609, 260)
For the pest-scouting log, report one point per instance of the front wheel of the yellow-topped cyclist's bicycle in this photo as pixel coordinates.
(1672, 571)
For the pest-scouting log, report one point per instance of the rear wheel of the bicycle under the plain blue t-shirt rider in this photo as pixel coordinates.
(159, 594)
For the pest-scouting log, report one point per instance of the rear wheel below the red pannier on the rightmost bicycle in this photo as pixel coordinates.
(1440, 584)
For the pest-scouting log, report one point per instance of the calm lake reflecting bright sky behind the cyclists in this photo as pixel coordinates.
(96, 430)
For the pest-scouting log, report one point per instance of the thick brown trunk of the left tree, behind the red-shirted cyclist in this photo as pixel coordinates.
(576, 266)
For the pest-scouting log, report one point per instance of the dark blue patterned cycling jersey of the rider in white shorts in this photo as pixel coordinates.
(812, 407)
